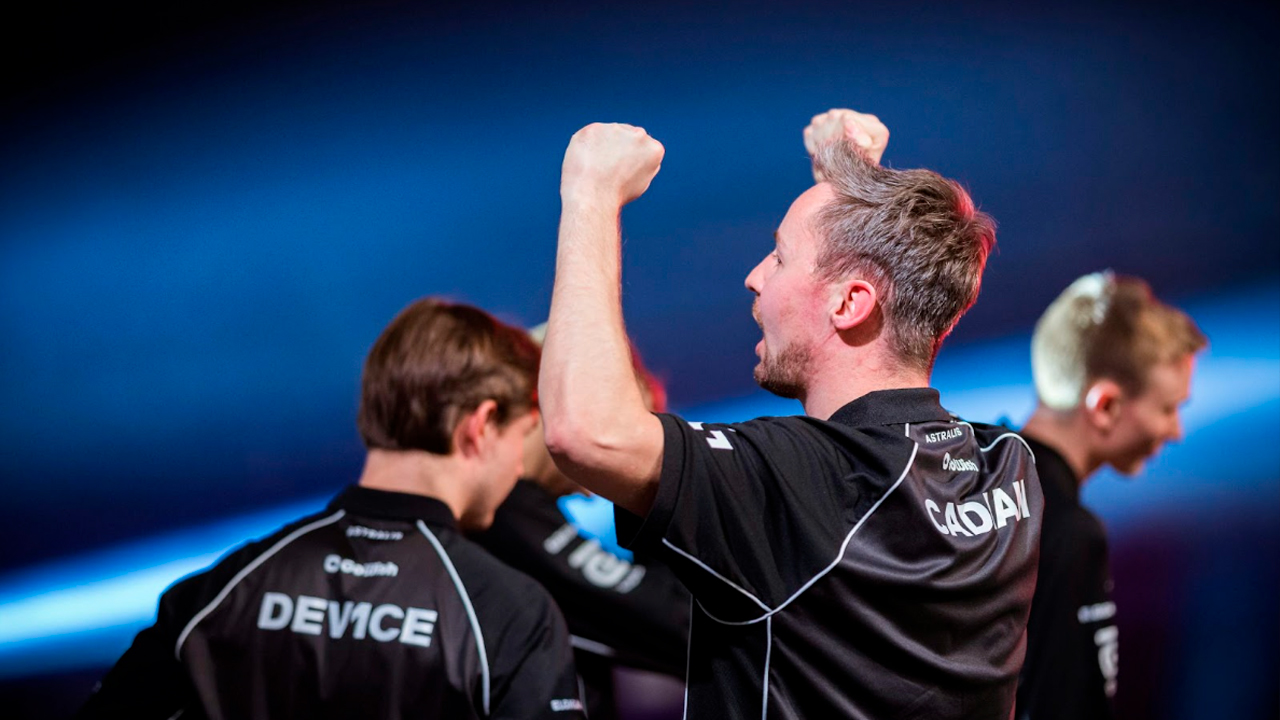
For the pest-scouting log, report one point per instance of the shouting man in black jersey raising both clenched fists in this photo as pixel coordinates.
(875, 558)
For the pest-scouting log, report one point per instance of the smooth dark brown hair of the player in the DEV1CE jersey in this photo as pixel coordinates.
(435, 363)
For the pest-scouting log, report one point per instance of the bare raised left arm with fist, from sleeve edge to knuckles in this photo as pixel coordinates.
(598, 429)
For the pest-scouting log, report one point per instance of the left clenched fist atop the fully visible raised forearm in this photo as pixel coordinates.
(610, 163)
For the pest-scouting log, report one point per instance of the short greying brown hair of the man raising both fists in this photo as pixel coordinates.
(915, 235)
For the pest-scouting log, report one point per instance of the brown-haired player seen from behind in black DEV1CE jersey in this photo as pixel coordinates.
(378, 607)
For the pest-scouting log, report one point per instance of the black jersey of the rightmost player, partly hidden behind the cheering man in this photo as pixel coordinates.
(1073, 642)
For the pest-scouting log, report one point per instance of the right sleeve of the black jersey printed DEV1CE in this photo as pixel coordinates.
(533, 664)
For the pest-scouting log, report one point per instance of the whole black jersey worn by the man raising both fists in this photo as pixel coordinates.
(880, 564)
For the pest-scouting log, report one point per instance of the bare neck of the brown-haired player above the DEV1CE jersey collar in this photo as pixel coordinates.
(419, 473)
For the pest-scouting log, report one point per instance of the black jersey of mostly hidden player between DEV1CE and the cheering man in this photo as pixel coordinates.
(621, 613)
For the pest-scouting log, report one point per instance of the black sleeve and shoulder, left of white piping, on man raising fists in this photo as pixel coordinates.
(747, 514)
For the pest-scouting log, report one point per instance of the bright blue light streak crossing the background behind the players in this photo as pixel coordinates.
(83, 612)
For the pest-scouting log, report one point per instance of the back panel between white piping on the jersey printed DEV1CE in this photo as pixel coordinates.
(342, 617)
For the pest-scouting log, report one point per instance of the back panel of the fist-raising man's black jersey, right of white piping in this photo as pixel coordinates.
(932, 591)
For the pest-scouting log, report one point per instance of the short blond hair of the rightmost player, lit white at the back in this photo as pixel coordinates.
(1107, 326)
